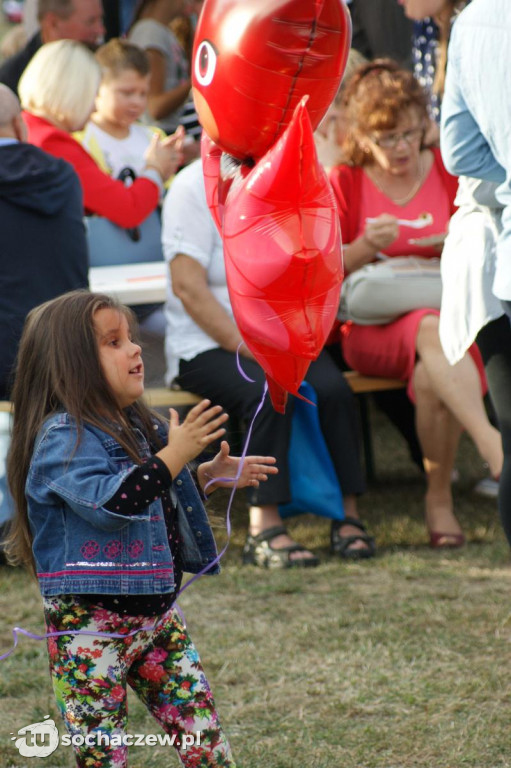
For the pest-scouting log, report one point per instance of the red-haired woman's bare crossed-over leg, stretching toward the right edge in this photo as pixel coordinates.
(458, 388)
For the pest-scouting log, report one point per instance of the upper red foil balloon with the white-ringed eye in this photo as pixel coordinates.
(254, 60)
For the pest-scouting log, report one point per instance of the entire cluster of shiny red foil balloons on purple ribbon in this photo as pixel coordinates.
(264, 74)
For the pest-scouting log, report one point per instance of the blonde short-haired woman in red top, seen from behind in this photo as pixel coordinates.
(57, 91)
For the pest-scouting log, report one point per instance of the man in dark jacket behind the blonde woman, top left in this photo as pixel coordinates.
(80, 20)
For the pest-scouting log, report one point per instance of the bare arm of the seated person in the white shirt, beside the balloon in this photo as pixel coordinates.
(190, 285)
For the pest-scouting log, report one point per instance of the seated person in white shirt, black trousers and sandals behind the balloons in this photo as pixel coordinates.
(201, 343)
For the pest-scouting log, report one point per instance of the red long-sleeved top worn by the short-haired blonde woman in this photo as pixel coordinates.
(102, 195)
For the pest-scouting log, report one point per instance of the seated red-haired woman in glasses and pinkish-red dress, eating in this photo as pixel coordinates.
(389, 177)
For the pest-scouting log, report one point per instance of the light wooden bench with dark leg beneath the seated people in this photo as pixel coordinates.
(361, 386)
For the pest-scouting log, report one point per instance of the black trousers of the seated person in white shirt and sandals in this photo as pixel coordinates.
(214, 374)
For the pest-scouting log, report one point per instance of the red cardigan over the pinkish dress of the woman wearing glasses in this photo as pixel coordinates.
(346, 181)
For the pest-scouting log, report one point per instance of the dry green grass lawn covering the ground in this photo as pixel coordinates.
(398, 662)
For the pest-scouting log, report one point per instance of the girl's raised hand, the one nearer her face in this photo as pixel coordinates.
(202, 426)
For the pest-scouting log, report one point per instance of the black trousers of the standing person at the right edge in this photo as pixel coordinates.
(494, 341)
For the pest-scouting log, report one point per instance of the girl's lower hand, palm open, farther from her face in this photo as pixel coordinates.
(255, 470)
